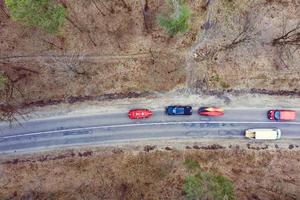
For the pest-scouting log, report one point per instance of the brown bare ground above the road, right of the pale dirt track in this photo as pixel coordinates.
(240, 52)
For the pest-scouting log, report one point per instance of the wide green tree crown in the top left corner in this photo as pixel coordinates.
(45, 14)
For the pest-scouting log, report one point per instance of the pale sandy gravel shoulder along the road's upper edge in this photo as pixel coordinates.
(159, 102)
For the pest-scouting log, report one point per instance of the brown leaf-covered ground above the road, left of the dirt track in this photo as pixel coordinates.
(110, 51)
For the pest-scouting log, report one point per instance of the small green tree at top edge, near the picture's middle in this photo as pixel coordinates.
(177, 20)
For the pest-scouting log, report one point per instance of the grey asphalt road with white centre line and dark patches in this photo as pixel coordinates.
(109, 128)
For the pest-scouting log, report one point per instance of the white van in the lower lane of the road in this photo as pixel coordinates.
(263, 133)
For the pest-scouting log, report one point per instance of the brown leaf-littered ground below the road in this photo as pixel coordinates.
(257, 173)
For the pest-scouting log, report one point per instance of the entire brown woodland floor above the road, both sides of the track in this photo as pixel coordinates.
(114, 47)
